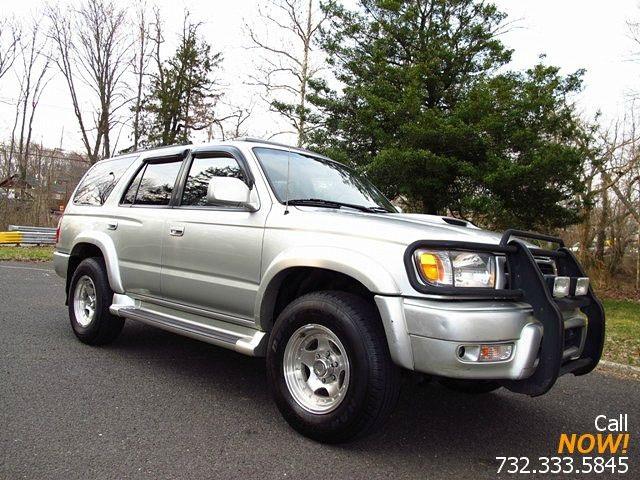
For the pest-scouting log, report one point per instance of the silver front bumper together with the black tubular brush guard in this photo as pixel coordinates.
(548, 337)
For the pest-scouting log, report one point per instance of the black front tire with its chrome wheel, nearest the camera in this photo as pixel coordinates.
(329, 367)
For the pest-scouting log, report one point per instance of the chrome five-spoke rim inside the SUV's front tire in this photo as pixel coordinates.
(316, 368)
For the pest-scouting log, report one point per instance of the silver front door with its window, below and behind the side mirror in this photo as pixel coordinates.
(212, 253)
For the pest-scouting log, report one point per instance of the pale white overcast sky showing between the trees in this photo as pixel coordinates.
(573, 34)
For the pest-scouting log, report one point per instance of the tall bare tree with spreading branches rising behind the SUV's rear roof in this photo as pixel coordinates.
(93, 44)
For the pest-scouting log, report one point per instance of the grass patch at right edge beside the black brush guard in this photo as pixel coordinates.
(622, 344)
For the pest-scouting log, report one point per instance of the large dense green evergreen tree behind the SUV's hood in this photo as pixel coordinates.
(428, 110)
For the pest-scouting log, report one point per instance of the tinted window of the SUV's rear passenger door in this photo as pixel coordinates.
(153, 184)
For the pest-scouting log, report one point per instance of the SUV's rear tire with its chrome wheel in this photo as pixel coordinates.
(90, 297)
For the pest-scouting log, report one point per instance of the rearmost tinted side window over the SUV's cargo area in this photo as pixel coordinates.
(98, 183)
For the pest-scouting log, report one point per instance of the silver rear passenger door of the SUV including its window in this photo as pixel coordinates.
(139, 229)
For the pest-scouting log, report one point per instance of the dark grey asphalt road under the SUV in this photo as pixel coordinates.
(155, 405)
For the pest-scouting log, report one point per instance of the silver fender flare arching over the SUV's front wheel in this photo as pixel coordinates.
(354, 264)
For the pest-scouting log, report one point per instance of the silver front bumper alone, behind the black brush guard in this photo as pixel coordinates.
(436, 330)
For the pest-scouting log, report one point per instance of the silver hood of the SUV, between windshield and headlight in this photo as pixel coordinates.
(402, 228)
